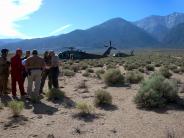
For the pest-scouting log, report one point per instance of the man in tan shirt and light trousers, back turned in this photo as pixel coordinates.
(34, 65)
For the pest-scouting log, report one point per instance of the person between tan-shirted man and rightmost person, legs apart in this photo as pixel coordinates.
(46, 72)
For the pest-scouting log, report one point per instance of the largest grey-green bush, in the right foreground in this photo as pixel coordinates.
(156, 92)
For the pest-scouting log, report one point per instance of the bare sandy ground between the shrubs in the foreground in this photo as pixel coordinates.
(122, 120)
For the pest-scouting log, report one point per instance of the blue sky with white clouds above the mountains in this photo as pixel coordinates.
(42, 18)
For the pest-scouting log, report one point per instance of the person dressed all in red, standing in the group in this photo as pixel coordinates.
(17, 73)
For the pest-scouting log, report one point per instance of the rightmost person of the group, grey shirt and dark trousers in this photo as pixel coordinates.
(54, 70)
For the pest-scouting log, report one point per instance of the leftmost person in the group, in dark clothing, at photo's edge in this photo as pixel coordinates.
(4, 71)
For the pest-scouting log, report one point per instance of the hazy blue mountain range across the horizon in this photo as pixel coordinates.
(150, 32)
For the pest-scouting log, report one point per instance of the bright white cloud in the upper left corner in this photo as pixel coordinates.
(12, 11)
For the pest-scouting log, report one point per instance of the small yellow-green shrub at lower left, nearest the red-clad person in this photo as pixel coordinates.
(16, 107)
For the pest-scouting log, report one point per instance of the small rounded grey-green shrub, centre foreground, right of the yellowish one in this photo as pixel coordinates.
(102, 98)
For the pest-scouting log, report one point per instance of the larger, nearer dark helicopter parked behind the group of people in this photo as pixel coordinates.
(75, 54)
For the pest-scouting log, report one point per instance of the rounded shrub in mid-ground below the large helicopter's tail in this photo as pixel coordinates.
(113, 77)
